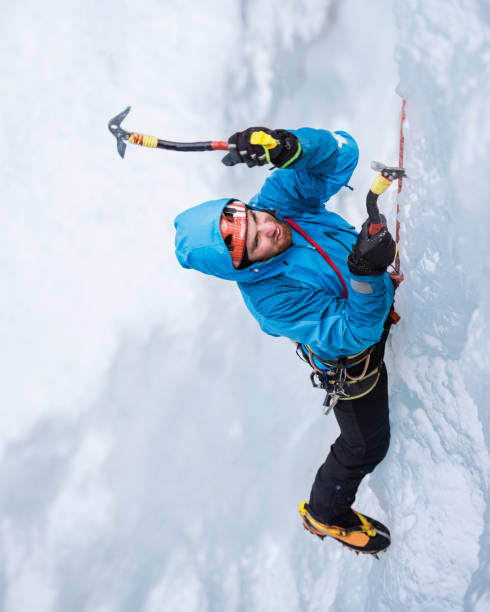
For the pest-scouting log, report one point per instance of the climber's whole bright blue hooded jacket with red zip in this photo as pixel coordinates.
(297, 294)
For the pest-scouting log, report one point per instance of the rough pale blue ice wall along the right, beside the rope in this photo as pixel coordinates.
(439, 478)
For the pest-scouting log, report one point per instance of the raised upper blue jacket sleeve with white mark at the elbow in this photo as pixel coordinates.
(326, 164)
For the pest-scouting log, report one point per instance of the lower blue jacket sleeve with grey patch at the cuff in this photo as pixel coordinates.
(331, 326)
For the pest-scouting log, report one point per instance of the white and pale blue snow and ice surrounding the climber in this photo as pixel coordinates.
(154, 444)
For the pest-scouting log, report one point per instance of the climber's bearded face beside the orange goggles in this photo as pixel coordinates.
(266, 236)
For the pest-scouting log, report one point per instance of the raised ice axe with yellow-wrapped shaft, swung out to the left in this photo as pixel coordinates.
(144, 140)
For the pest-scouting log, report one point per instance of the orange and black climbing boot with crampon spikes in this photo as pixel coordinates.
(354, 530)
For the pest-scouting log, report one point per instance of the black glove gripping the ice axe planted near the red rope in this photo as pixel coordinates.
(371, 255)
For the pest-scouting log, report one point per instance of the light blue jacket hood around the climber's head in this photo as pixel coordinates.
(199, 245)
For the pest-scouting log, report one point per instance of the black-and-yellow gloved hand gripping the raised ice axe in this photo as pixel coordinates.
(257, 146)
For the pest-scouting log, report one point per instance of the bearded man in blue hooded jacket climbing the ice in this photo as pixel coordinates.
(306, 274)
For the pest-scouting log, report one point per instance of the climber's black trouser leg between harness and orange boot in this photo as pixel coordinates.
(362, 444)
